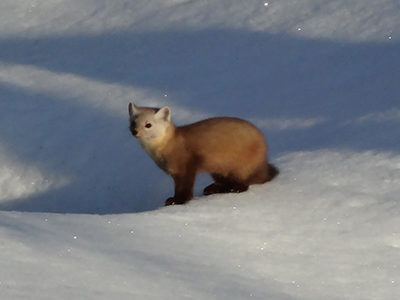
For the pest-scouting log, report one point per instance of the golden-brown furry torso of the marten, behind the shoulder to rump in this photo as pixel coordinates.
(227, 146)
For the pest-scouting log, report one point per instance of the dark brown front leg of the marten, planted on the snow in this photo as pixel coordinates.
(183, 188)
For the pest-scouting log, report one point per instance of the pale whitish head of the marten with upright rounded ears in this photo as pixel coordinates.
(148, 123)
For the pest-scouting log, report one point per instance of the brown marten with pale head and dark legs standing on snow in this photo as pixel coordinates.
(232, 150)
